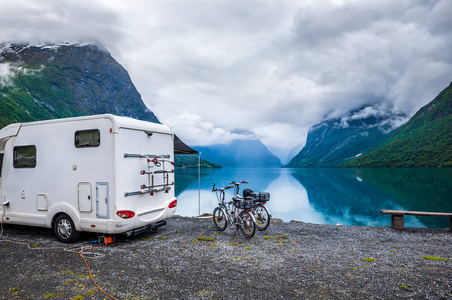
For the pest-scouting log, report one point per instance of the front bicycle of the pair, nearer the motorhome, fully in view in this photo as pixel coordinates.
(233, 212)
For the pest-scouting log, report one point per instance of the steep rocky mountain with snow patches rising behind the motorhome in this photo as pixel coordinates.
(65, 80)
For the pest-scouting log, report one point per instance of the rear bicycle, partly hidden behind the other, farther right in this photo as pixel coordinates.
(259, 210)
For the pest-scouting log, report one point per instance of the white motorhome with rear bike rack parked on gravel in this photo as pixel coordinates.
(103, 173)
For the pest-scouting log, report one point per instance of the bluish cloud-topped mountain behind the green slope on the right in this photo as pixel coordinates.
(335, 141)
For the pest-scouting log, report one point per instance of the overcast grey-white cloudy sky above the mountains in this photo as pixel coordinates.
(217, 70)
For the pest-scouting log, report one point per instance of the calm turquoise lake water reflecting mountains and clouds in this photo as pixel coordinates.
(328, 196)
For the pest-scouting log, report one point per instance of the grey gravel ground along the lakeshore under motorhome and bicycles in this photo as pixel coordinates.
(189, 259)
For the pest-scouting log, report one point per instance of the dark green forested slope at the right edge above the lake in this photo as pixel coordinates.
(424, 141)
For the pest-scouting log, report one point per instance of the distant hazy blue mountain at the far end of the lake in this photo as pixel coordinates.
(240, 153)
